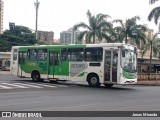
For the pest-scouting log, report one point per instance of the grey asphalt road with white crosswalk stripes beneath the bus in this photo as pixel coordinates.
(24, 95)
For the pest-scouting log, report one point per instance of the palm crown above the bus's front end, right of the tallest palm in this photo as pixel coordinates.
(130, 29)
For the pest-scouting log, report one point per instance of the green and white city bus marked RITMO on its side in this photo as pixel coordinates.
(105, 63)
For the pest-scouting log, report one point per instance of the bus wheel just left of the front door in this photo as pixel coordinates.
(93, 80)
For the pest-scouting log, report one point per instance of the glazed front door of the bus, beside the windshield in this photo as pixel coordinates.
(111, 60)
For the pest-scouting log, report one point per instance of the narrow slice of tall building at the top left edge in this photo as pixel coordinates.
(1, 16)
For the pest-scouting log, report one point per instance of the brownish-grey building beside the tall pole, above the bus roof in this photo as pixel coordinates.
(46, 37)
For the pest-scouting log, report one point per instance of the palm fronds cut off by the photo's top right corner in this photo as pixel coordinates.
(155, 13)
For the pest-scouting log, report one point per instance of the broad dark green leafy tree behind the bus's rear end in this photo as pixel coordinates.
(20, 35)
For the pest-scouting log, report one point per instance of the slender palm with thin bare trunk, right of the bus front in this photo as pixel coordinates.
(152, 45)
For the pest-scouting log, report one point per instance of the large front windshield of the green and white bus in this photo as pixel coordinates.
(128, 60)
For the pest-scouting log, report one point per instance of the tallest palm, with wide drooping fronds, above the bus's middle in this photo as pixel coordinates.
(98, 28)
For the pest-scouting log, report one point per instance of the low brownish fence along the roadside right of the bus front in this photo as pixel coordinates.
(144, 76)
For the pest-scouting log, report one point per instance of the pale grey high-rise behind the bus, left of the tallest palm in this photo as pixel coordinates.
(69, 37)
